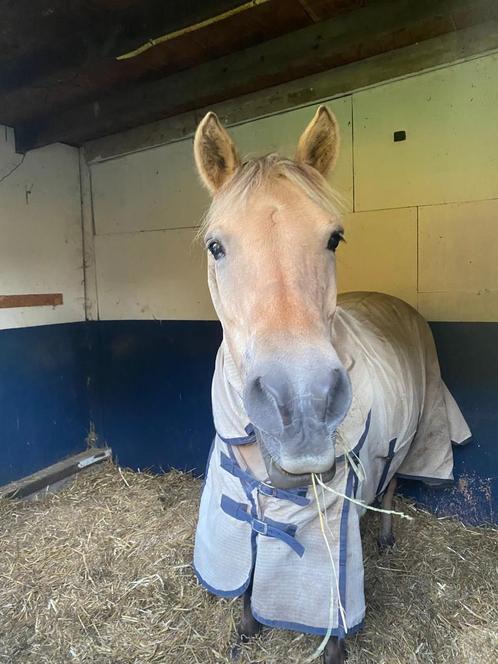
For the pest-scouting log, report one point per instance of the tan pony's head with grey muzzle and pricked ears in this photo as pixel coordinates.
(271, 234)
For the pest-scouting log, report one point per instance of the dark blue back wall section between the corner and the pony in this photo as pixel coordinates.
(156, 390)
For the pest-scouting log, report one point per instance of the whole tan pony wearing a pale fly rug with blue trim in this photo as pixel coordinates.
(319, 401)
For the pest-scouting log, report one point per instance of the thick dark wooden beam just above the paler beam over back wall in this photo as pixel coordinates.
(363, 33)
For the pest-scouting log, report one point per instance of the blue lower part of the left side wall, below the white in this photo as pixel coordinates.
(47, 395)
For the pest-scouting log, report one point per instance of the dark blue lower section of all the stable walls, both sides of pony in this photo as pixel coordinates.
(146, 387)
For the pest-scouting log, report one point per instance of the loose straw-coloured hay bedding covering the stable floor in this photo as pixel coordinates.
(100, 573)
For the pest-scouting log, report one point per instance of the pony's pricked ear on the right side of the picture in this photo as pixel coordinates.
(319, 143)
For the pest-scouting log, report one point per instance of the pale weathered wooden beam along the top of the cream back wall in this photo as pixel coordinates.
(430, 54)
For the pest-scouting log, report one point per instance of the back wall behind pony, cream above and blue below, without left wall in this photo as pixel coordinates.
(420, 217)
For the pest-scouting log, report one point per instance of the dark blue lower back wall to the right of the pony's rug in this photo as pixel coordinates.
(468, 354)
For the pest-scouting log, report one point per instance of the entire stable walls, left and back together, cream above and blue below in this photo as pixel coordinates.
(420, 218)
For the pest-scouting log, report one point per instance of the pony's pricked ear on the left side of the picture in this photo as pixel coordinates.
(215, 153)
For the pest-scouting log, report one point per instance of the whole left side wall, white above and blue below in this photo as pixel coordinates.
(43, 372)
